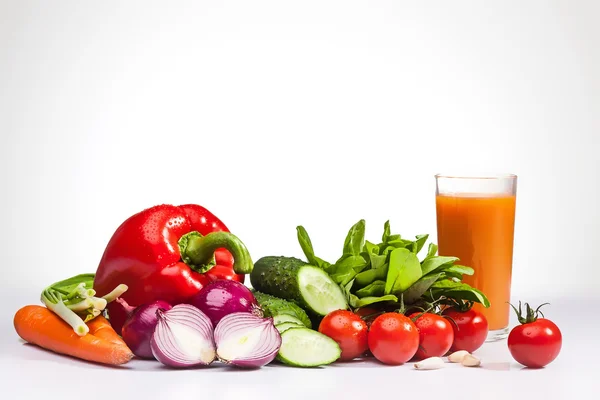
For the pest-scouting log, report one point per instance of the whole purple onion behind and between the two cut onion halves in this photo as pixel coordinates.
(223, 297)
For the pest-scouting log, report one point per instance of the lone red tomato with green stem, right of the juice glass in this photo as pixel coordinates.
(536, 342)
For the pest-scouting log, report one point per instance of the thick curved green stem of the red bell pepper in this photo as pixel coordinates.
(197, 251)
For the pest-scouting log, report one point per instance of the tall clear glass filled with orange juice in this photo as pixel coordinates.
(475, 222)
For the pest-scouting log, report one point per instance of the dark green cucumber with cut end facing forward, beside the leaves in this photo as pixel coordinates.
(292, 279)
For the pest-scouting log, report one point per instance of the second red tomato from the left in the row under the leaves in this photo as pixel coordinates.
(393, 338)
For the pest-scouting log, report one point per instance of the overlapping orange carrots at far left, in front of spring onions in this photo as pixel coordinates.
(40, 326)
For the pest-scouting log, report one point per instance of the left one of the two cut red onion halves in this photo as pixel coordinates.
(183, 337)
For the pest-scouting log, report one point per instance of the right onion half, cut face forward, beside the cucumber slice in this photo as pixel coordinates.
(246, 340)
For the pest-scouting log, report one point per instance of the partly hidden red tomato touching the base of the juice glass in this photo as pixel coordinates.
(470, 329)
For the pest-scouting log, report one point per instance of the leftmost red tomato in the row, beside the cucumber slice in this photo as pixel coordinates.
(348, 330)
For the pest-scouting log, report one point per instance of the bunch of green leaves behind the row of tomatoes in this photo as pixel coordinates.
(380, 274)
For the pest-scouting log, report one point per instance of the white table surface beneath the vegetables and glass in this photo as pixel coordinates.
(28, 371)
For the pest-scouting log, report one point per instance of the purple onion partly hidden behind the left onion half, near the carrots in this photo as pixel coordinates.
(139, 327)
